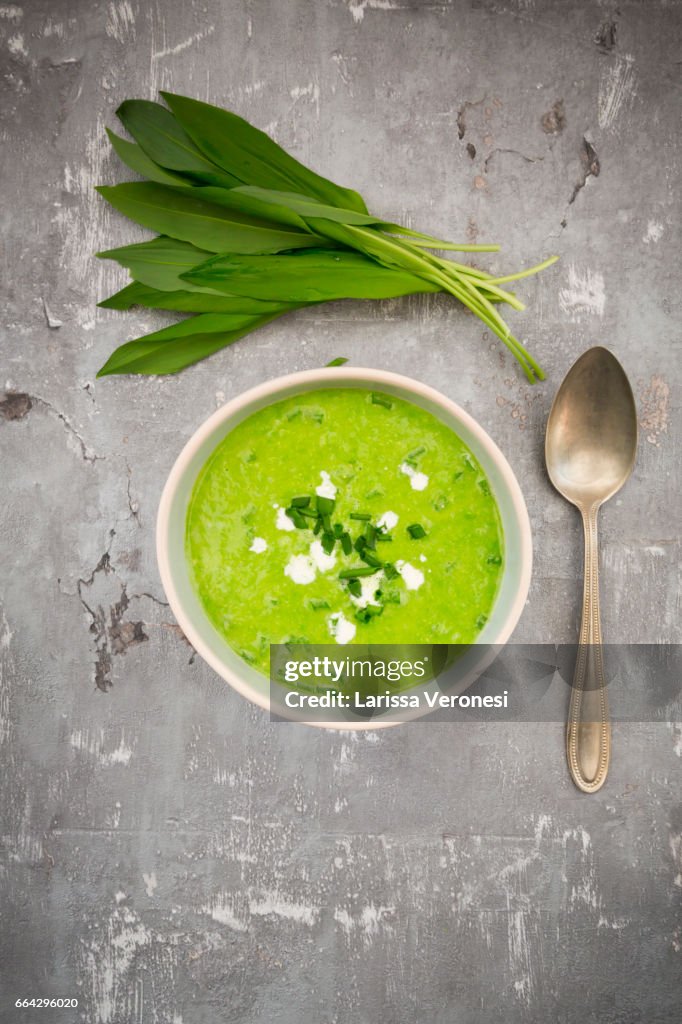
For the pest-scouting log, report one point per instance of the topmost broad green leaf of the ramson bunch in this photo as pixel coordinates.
(252, 156)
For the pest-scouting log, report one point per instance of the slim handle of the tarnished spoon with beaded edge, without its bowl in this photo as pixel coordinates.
(588, 733)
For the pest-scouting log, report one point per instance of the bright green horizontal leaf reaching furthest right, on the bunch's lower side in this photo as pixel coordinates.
(307, 277)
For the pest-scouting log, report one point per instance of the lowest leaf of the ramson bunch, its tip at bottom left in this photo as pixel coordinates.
(150, 355)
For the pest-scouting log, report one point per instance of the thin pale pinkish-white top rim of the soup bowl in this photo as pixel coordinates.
(322, 376)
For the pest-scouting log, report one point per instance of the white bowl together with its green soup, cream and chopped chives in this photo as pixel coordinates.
(340, 506)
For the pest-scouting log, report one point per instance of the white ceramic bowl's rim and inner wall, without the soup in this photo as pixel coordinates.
(173, 513)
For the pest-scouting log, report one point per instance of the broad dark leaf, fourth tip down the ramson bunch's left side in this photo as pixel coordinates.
(176, 212)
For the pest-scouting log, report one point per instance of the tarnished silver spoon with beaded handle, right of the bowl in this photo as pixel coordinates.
(590, 451)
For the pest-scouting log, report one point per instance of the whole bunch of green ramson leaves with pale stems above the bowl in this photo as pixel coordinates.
(247, 233)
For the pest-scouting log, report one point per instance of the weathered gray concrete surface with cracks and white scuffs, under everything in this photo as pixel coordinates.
(168, 856)
